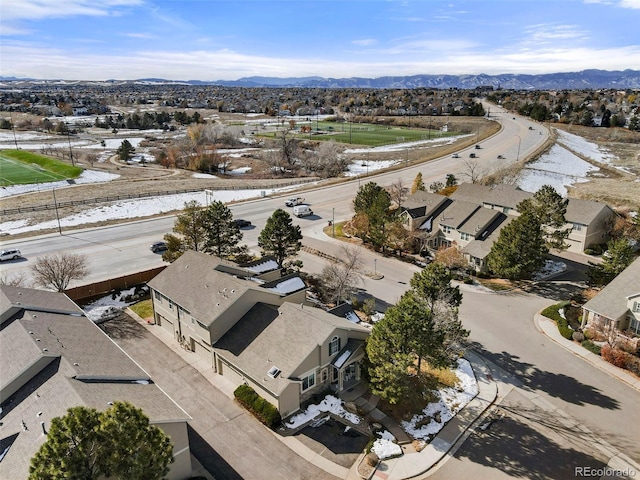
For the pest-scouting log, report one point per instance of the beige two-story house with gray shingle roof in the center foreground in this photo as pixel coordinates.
(258, 332)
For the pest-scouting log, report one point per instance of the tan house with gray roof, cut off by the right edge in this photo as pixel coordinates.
(617, 305)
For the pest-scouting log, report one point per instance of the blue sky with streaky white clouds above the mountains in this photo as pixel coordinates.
(227, 40)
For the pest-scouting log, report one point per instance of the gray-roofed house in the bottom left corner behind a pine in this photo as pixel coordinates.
(54, 358)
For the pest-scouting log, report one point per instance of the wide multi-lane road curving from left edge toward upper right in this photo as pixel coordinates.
(122, 249)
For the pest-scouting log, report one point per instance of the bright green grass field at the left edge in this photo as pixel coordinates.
(19, 167)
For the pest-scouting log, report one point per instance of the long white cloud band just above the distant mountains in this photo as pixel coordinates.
(39, 61)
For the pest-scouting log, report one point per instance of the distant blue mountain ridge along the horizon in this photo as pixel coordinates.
(586, 79)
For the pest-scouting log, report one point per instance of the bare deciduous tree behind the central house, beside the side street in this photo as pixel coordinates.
(342, 277)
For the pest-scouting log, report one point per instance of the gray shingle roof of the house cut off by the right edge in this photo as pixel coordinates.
(611, 302)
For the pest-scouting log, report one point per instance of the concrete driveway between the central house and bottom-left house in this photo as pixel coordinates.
(226, 440)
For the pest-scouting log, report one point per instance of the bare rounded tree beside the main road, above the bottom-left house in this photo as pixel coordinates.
(58, 270)
